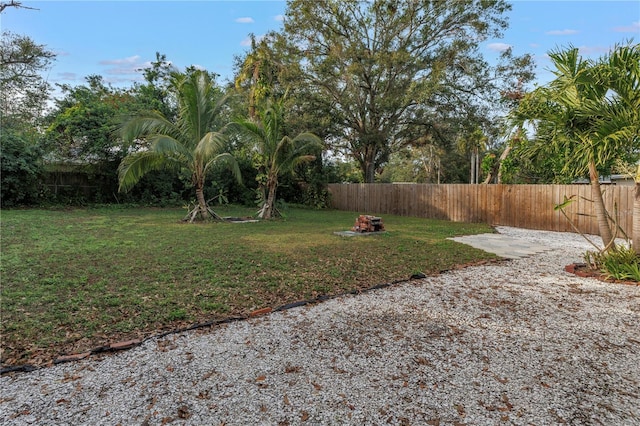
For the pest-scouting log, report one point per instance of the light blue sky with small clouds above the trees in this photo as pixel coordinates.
(116, 38)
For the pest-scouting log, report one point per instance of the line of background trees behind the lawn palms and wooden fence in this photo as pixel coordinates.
(397, 91)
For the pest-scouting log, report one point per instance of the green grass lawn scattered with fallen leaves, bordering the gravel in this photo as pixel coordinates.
(76, 279)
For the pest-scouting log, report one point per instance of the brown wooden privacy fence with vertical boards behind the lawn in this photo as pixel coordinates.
(522, 206)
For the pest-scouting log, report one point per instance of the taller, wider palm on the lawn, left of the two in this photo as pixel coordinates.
(189, 143)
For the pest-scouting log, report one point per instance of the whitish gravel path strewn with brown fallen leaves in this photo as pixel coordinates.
(520, 342)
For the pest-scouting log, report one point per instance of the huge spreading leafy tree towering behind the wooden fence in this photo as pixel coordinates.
(390, 72)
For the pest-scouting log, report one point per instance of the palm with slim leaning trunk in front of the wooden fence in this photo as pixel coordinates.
(589, 111)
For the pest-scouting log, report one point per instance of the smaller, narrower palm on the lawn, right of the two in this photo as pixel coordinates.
(277, 153)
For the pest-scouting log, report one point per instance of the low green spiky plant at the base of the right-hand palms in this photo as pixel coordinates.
(620, 264)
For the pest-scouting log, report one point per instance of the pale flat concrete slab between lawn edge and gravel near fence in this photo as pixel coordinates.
(501, 245)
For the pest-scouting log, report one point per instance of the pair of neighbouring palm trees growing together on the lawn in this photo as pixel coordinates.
(194, 141)
